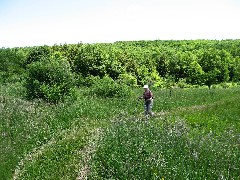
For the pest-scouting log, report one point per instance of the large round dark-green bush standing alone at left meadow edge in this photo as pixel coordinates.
(50, 79)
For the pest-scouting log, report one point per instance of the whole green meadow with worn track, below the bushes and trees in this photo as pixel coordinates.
(194, 135)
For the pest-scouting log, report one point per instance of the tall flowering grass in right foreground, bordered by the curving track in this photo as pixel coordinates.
(162, 150)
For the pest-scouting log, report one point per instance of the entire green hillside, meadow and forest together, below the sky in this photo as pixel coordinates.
(72, 111)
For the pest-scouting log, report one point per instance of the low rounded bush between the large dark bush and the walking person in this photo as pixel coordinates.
(107, 87)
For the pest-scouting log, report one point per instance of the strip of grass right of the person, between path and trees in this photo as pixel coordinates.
(191, 97)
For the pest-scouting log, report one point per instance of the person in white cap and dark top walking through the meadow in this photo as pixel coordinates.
(148, 97)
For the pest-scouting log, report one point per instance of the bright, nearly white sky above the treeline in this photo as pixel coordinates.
(48, 22)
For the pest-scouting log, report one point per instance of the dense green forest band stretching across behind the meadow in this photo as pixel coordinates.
(158, 63)
